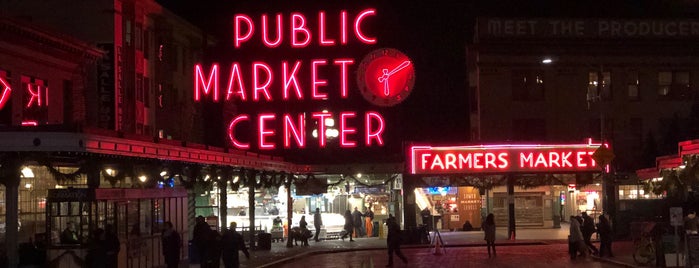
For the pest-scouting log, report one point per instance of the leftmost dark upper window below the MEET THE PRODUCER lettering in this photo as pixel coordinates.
(527, 85)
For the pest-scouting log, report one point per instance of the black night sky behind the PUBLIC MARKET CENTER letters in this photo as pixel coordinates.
(433, 34)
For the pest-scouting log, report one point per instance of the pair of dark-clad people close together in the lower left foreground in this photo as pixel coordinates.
(213, 246)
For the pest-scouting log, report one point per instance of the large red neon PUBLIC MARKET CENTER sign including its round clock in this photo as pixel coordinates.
(264, 82)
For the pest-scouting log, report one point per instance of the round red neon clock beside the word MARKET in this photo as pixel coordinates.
(386, 77)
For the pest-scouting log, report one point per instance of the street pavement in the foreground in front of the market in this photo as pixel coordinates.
(531, 248)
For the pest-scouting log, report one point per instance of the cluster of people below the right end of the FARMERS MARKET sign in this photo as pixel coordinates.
(581, 230)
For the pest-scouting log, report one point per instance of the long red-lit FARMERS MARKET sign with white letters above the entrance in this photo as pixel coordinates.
(502, 158)
